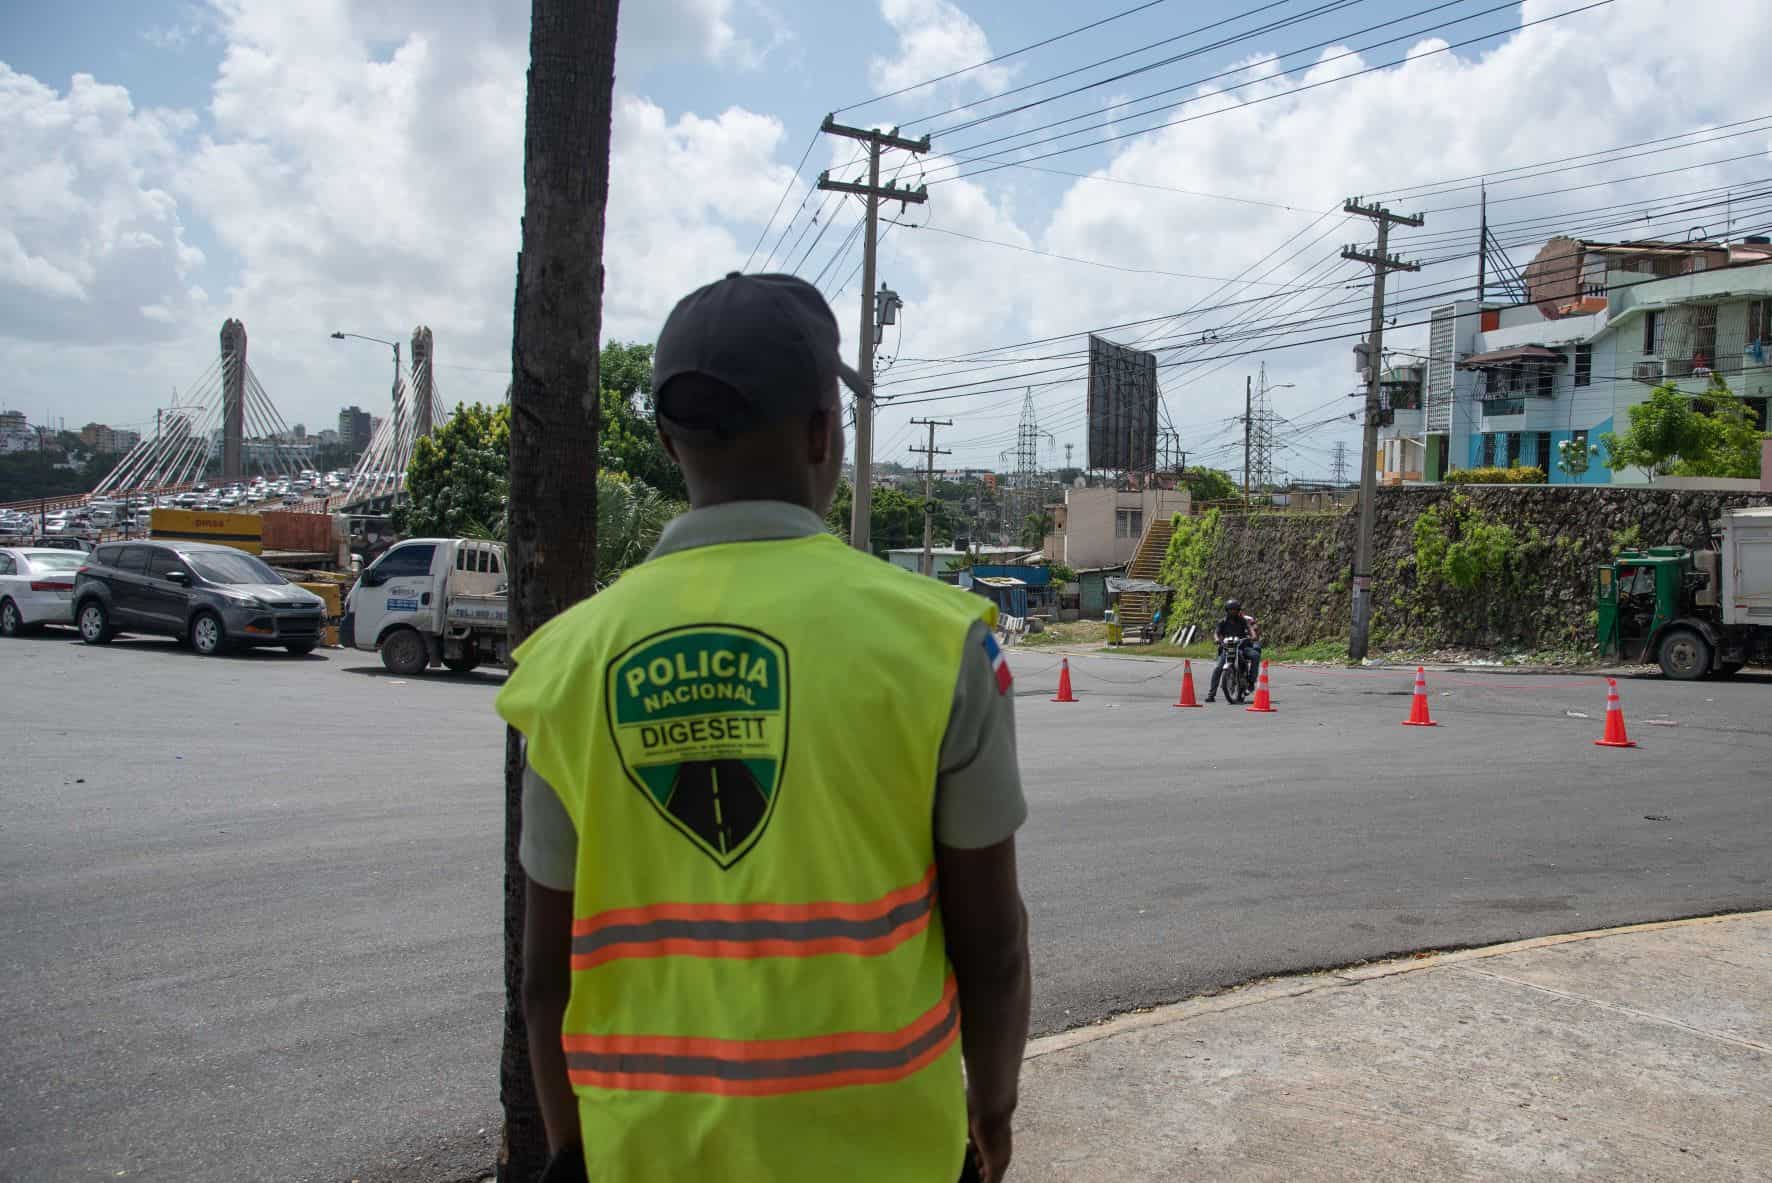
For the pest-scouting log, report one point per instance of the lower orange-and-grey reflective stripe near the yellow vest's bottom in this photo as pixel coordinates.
(763, 1067)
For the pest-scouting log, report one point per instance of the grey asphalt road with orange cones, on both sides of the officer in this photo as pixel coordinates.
(249, 908)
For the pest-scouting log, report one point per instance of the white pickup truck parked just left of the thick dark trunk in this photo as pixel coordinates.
(431, 601)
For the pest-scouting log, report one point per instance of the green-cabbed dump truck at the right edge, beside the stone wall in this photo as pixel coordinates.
(1697, 614)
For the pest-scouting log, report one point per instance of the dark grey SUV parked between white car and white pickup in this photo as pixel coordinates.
(210, 596)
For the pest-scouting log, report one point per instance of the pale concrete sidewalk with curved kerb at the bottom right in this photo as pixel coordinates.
(1622, 1055)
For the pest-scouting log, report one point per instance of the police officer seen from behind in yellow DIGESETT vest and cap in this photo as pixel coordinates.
(772, 853)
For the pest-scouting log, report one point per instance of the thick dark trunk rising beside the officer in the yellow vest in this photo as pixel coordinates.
(554, 426)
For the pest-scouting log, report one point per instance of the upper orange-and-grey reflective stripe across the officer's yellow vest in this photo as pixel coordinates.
(749, 931)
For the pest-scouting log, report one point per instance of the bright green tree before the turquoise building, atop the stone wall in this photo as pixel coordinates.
(1674, 433)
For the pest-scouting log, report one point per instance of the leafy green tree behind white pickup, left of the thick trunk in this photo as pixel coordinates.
(458, 484)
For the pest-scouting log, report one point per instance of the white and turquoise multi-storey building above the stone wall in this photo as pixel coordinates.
(1537, 383)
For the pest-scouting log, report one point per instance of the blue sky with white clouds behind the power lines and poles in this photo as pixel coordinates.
(1176, 173)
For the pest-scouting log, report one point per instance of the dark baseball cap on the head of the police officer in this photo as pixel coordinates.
(768, 339)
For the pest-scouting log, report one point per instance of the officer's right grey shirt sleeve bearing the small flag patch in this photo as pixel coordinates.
(979, 800)
